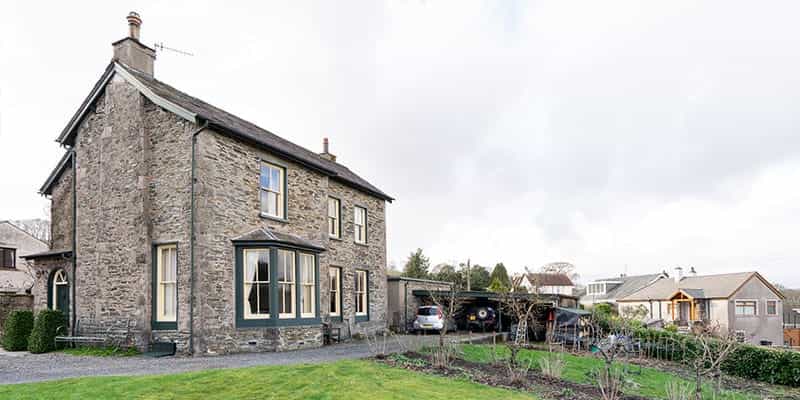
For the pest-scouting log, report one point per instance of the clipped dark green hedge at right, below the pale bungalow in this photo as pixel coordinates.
(762, 364)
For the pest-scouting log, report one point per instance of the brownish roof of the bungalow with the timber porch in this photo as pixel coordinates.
(703, 287)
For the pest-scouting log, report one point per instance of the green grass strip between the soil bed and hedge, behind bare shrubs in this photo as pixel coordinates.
(650, 383)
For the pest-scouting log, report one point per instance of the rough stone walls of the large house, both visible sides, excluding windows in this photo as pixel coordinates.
(134, 168)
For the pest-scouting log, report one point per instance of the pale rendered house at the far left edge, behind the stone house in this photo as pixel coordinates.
(15, 242)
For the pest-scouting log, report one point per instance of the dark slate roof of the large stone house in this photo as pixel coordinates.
(228, 123)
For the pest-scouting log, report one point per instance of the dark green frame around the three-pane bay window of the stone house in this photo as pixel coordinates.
(274, 319)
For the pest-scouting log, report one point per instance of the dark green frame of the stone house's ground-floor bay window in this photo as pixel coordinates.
(275, 318)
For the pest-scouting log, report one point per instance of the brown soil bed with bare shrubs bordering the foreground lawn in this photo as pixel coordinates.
(498, 376)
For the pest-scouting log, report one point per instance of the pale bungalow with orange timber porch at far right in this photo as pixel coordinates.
(744, 303)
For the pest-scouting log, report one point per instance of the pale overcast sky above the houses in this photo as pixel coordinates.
(623, 137)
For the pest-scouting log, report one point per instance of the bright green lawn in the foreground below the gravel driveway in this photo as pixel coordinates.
(356, 379)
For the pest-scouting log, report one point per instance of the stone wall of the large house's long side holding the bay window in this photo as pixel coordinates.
(228, 190)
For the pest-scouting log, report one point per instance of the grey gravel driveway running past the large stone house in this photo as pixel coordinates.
(22, 367)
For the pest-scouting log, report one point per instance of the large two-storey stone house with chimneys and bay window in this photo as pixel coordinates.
(197, 227)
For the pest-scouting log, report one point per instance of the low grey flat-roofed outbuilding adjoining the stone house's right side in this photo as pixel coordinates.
(402, 304)
